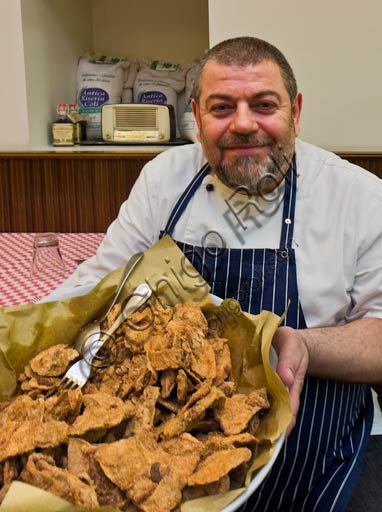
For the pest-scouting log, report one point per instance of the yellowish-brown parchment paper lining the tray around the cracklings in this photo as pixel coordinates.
(26, 330)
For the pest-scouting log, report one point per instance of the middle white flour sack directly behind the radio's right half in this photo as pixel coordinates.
(160, 82)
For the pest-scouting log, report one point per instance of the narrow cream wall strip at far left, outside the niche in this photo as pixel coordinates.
(13, 104)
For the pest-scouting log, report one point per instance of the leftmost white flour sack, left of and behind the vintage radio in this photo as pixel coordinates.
(99, 81)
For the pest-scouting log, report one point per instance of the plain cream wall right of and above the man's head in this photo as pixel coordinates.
(335, 48)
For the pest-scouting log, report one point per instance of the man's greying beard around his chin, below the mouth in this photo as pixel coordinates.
(250, 176)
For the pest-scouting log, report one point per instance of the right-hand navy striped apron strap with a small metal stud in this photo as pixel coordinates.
(287, 227)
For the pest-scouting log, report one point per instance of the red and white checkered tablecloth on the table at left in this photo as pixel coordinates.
(17, 286)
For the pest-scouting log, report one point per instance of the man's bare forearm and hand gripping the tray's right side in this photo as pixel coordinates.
(349, 353)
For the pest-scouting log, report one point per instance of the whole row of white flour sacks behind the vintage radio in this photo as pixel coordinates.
(102, 79)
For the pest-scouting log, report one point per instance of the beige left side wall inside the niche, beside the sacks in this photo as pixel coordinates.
(56, 32)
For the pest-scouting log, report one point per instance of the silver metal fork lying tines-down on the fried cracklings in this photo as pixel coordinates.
(78, 374)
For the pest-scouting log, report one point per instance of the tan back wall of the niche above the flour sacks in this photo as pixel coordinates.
(168, 29)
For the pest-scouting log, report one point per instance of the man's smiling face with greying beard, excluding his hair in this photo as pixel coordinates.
(246, 122)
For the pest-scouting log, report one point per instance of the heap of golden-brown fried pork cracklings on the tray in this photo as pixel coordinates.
(158, 423)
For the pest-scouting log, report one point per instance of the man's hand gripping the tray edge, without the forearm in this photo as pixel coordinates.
(293, 358)
